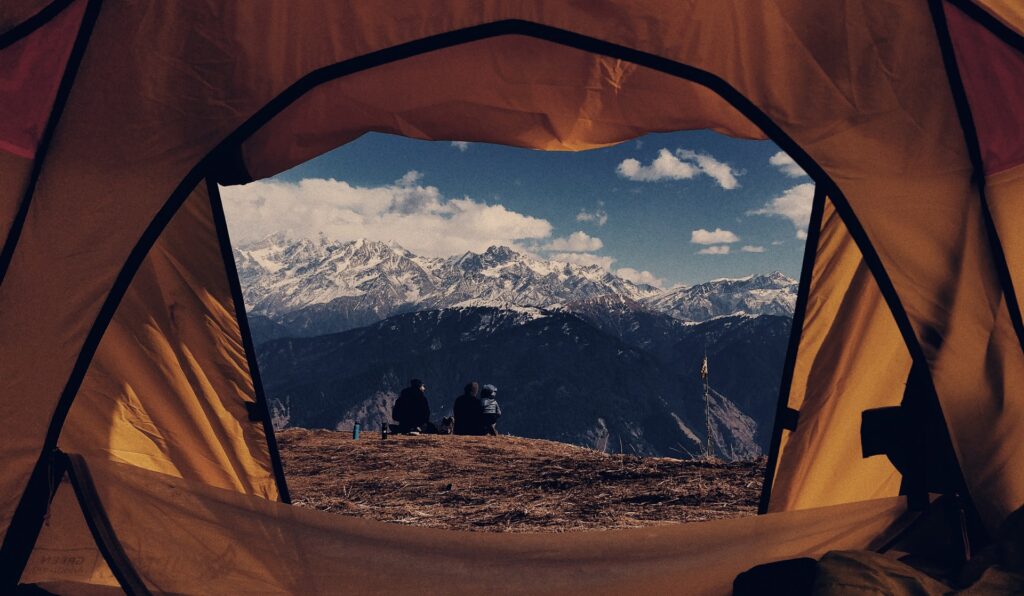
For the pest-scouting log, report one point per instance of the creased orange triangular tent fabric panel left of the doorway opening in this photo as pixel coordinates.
(170, 393)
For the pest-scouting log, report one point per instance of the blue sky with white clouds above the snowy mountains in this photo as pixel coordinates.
(667, 209)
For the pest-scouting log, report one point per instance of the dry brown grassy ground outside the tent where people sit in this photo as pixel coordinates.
(507, 484)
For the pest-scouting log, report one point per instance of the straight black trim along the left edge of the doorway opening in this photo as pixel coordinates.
(231, 270)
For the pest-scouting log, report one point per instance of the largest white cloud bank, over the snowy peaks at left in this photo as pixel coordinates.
(417, 217)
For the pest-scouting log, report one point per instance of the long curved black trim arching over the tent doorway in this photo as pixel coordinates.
(28, 518)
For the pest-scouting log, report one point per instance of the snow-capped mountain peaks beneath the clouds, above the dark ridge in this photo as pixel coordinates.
(303, 287)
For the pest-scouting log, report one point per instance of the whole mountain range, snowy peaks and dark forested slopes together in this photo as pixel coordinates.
(579, 354)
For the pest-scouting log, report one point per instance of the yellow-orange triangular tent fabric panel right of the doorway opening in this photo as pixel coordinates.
(821, 461)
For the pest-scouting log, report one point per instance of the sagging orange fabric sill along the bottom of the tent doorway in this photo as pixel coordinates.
(220, 542)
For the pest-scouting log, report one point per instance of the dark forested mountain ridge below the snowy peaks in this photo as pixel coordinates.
(560, 378)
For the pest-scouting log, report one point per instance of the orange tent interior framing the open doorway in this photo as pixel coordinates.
(138, 451)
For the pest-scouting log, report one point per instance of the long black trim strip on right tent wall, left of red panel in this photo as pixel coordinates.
(974, 151)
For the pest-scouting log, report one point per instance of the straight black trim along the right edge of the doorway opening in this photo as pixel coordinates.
(796, 331)
